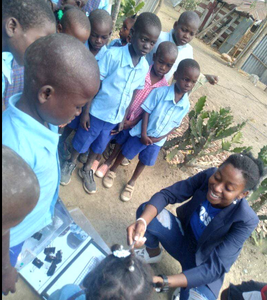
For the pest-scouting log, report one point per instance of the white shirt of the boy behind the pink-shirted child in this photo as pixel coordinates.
(184, 51)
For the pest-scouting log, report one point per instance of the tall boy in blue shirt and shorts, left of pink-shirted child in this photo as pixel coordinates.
(123, 70)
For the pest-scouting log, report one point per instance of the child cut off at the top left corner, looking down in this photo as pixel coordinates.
(23, 22)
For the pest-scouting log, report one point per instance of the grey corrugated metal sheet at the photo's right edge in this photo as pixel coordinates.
(257, 61)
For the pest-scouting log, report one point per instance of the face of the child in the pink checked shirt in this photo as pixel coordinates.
(163, 63)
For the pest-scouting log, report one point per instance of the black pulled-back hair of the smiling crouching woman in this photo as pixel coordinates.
(251, 168)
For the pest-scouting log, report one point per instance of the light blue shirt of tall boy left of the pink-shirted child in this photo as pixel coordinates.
(119, 80)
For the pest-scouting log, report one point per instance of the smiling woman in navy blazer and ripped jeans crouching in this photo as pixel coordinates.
(209, 231)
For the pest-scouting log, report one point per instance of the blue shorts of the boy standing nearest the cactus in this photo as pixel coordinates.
(147, 154)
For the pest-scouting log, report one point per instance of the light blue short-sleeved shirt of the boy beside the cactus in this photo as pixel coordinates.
(165, 114)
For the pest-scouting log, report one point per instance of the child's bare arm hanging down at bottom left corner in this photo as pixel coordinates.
(9, 273)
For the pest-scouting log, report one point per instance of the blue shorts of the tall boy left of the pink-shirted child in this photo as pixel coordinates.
(96, 138)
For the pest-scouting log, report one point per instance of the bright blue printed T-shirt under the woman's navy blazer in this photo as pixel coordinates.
(202, 217)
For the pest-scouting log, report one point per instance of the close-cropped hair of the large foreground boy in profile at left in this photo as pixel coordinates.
(63, 59)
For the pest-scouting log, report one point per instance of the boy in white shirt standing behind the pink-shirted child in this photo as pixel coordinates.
(181, 35)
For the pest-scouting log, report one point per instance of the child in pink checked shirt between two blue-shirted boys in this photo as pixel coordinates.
(164, 58)
